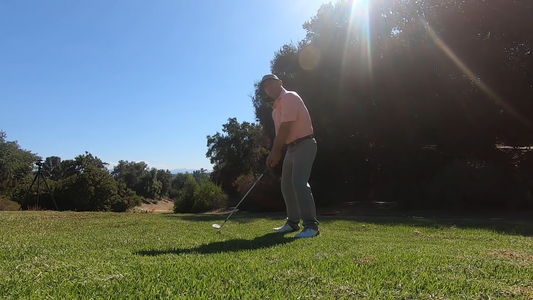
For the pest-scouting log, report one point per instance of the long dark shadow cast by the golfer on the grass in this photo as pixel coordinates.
(261, 242)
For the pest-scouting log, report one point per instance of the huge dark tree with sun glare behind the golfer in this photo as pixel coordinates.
(383, 78)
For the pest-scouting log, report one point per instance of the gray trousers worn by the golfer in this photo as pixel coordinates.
(296, 191)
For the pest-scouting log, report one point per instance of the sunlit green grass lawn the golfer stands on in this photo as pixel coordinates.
(68, 255)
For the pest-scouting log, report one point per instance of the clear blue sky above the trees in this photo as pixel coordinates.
(136, 80)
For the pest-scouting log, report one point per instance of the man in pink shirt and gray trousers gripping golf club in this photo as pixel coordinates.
(294, 129)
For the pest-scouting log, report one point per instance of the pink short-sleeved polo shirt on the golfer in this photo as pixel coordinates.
(289, 107)
